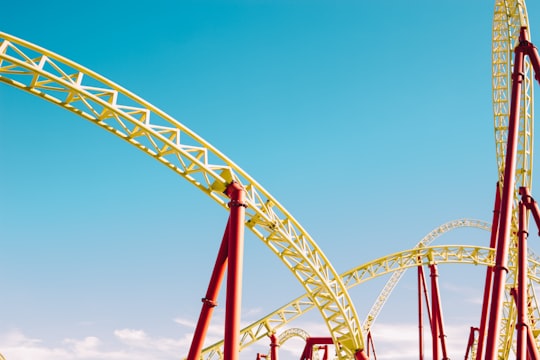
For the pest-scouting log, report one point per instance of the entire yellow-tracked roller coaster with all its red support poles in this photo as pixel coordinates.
(509, 320)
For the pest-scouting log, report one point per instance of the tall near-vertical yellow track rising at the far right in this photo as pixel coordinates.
(509, 16)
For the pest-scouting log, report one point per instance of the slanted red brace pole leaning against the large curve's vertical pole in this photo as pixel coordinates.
(210, 300)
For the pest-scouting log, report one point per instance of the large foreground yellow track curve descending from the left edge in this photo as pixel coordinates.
(97, 99)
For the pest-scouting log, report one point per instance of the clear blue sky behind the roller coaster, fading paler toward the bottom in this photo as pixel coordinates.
(369, 121)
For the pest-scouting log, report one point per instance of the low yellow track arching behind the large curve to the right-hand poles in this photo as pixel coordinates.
(262, 328)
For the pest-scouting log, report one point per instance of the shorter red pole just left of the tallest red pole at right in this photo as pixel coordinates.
(489, 276)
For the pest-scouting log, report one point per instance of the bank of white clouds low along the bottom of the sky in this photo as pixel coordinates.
(392, 341)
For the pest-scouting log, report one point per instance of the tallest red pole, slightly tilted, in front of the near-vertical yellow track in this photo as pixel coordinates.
(500, 270)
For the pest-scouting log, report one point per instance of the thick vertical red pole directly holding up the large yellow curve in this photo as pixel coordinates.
(231, 345)
